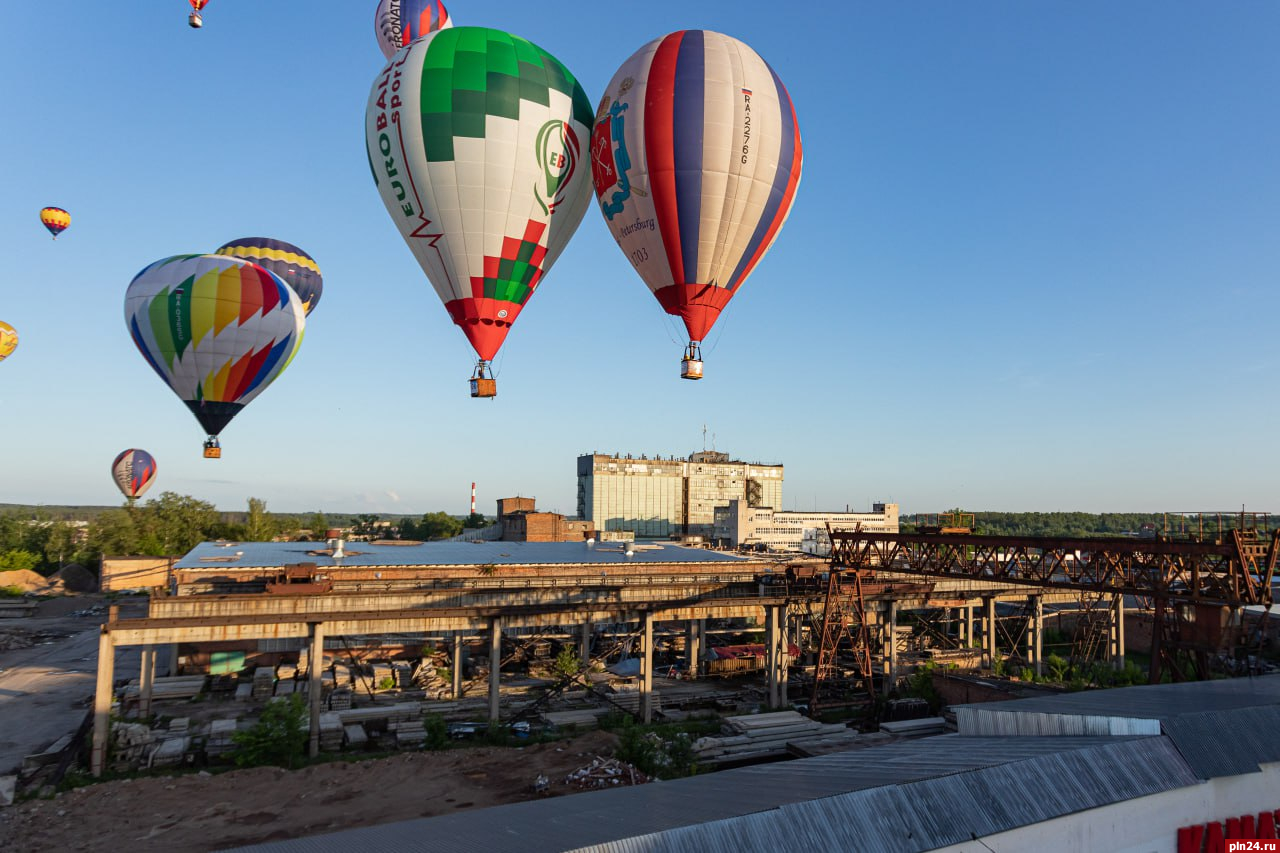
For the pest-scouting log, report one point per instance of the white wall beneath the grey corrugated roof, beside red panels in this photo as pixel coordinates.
(1148, 824)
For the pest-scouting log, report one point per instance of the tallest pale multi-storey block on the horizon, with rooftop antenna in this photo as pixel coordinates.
(665, 498)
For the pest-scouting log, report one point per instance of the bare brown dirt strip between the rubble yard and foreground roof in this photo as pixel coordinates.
(212, 813)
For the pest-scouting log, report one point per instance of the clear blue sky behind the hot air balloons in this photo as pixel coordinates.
(1034, 263)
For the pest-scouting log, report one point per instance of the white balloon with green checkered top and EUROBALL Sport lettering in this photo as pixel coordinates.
(476, 139)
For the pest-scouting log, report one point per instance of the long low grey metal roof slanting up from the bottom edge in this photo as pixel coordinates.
(616, 819)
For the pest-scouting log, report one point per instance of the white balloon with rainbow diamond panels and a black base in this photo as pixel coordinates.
(218, 331)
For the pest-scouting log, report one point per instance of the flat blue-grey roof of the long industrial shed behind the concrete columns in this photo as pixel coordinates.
(255, 555)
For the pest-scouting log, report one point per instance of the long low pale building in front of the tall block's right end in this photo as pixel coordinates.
(742, 526)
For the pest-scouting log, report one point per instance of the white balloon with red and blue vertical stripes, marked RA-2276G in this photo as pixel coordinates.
(696, 158)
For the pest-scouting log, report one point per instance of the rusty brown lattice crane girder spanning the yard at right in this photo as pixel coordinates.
(1195, 585)
